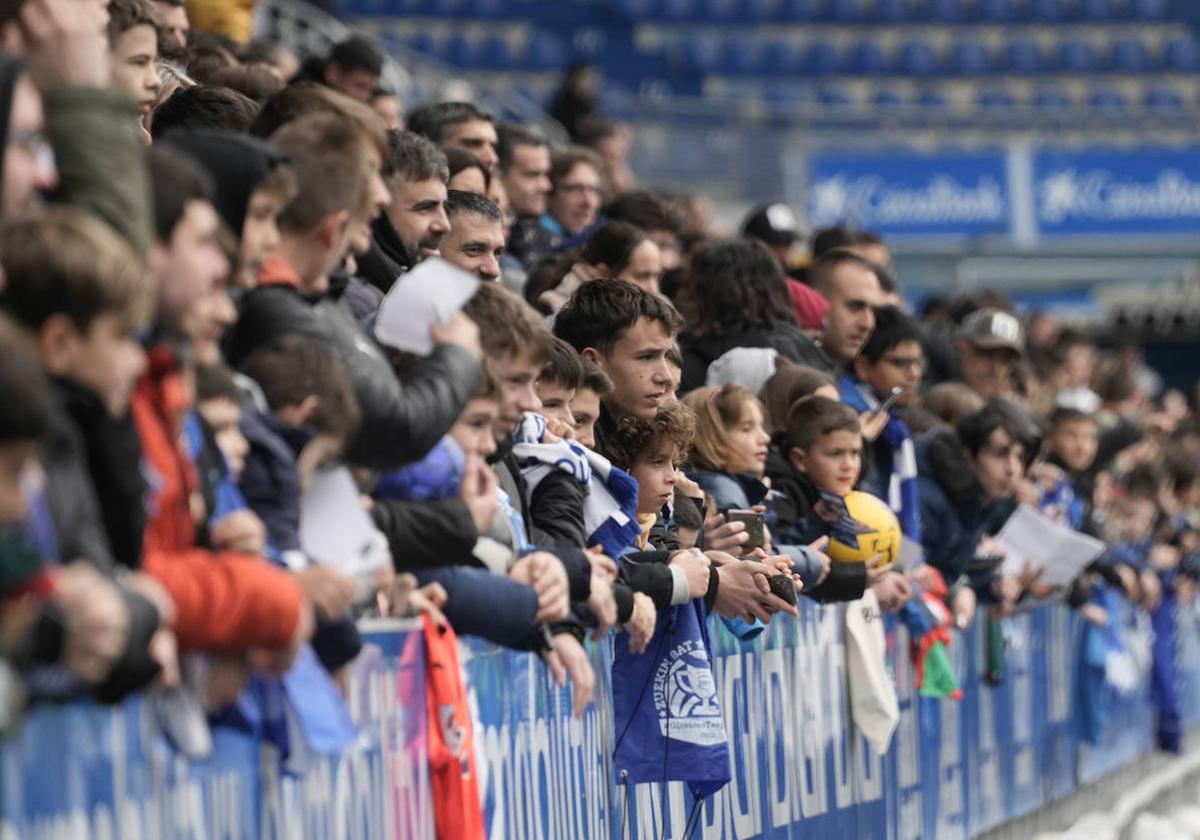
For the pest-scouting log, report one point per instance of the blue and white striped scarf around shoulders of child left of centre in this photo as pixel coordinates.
(610, 502)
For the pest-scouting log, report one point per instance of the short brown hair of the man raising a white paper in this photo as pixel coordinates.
(331, 170)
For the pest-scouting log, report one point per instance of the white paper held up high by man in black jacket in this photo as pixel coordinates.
(430, 293)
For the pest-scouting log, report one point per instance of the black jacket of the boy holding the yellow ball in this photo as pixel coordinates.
(799, 525)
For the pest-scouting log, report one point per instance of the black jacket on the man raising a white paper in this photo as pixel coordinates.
(400, 424)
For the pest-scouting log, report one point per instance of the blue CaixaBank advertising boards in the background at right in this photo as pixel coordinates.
(1023, 194)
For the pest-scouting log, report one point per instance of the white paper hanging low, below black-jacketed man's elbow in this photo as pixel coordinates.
(335, 529)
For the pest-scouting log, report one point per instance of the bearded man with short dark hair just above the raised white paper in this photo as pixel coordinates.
(415, 223)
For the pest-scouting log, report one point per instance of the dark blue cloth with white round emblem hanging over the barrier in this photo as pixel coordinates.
(667, 716)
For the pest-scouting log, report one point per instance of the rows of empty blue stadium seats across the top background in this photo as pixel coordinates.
(1097, 59)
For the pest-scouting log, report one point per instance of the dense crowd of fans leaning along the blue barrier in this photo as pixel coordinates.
(196, 241)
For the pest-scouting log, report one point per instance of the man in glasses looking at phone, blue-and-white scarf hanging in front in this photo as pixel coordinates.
(891, 359)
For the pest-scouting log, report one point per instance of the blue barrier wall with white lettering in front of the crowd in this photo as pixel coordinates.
(955, 770)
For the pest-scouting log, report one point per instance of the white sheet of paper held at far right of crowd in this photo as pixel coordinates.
(1031, 537)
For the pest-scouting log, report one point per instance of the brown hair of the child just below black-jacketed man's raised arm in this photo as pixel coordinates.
(292, 369)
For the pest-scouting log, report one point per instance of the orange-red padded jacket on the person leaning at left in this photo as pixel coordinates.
(224, 601)
